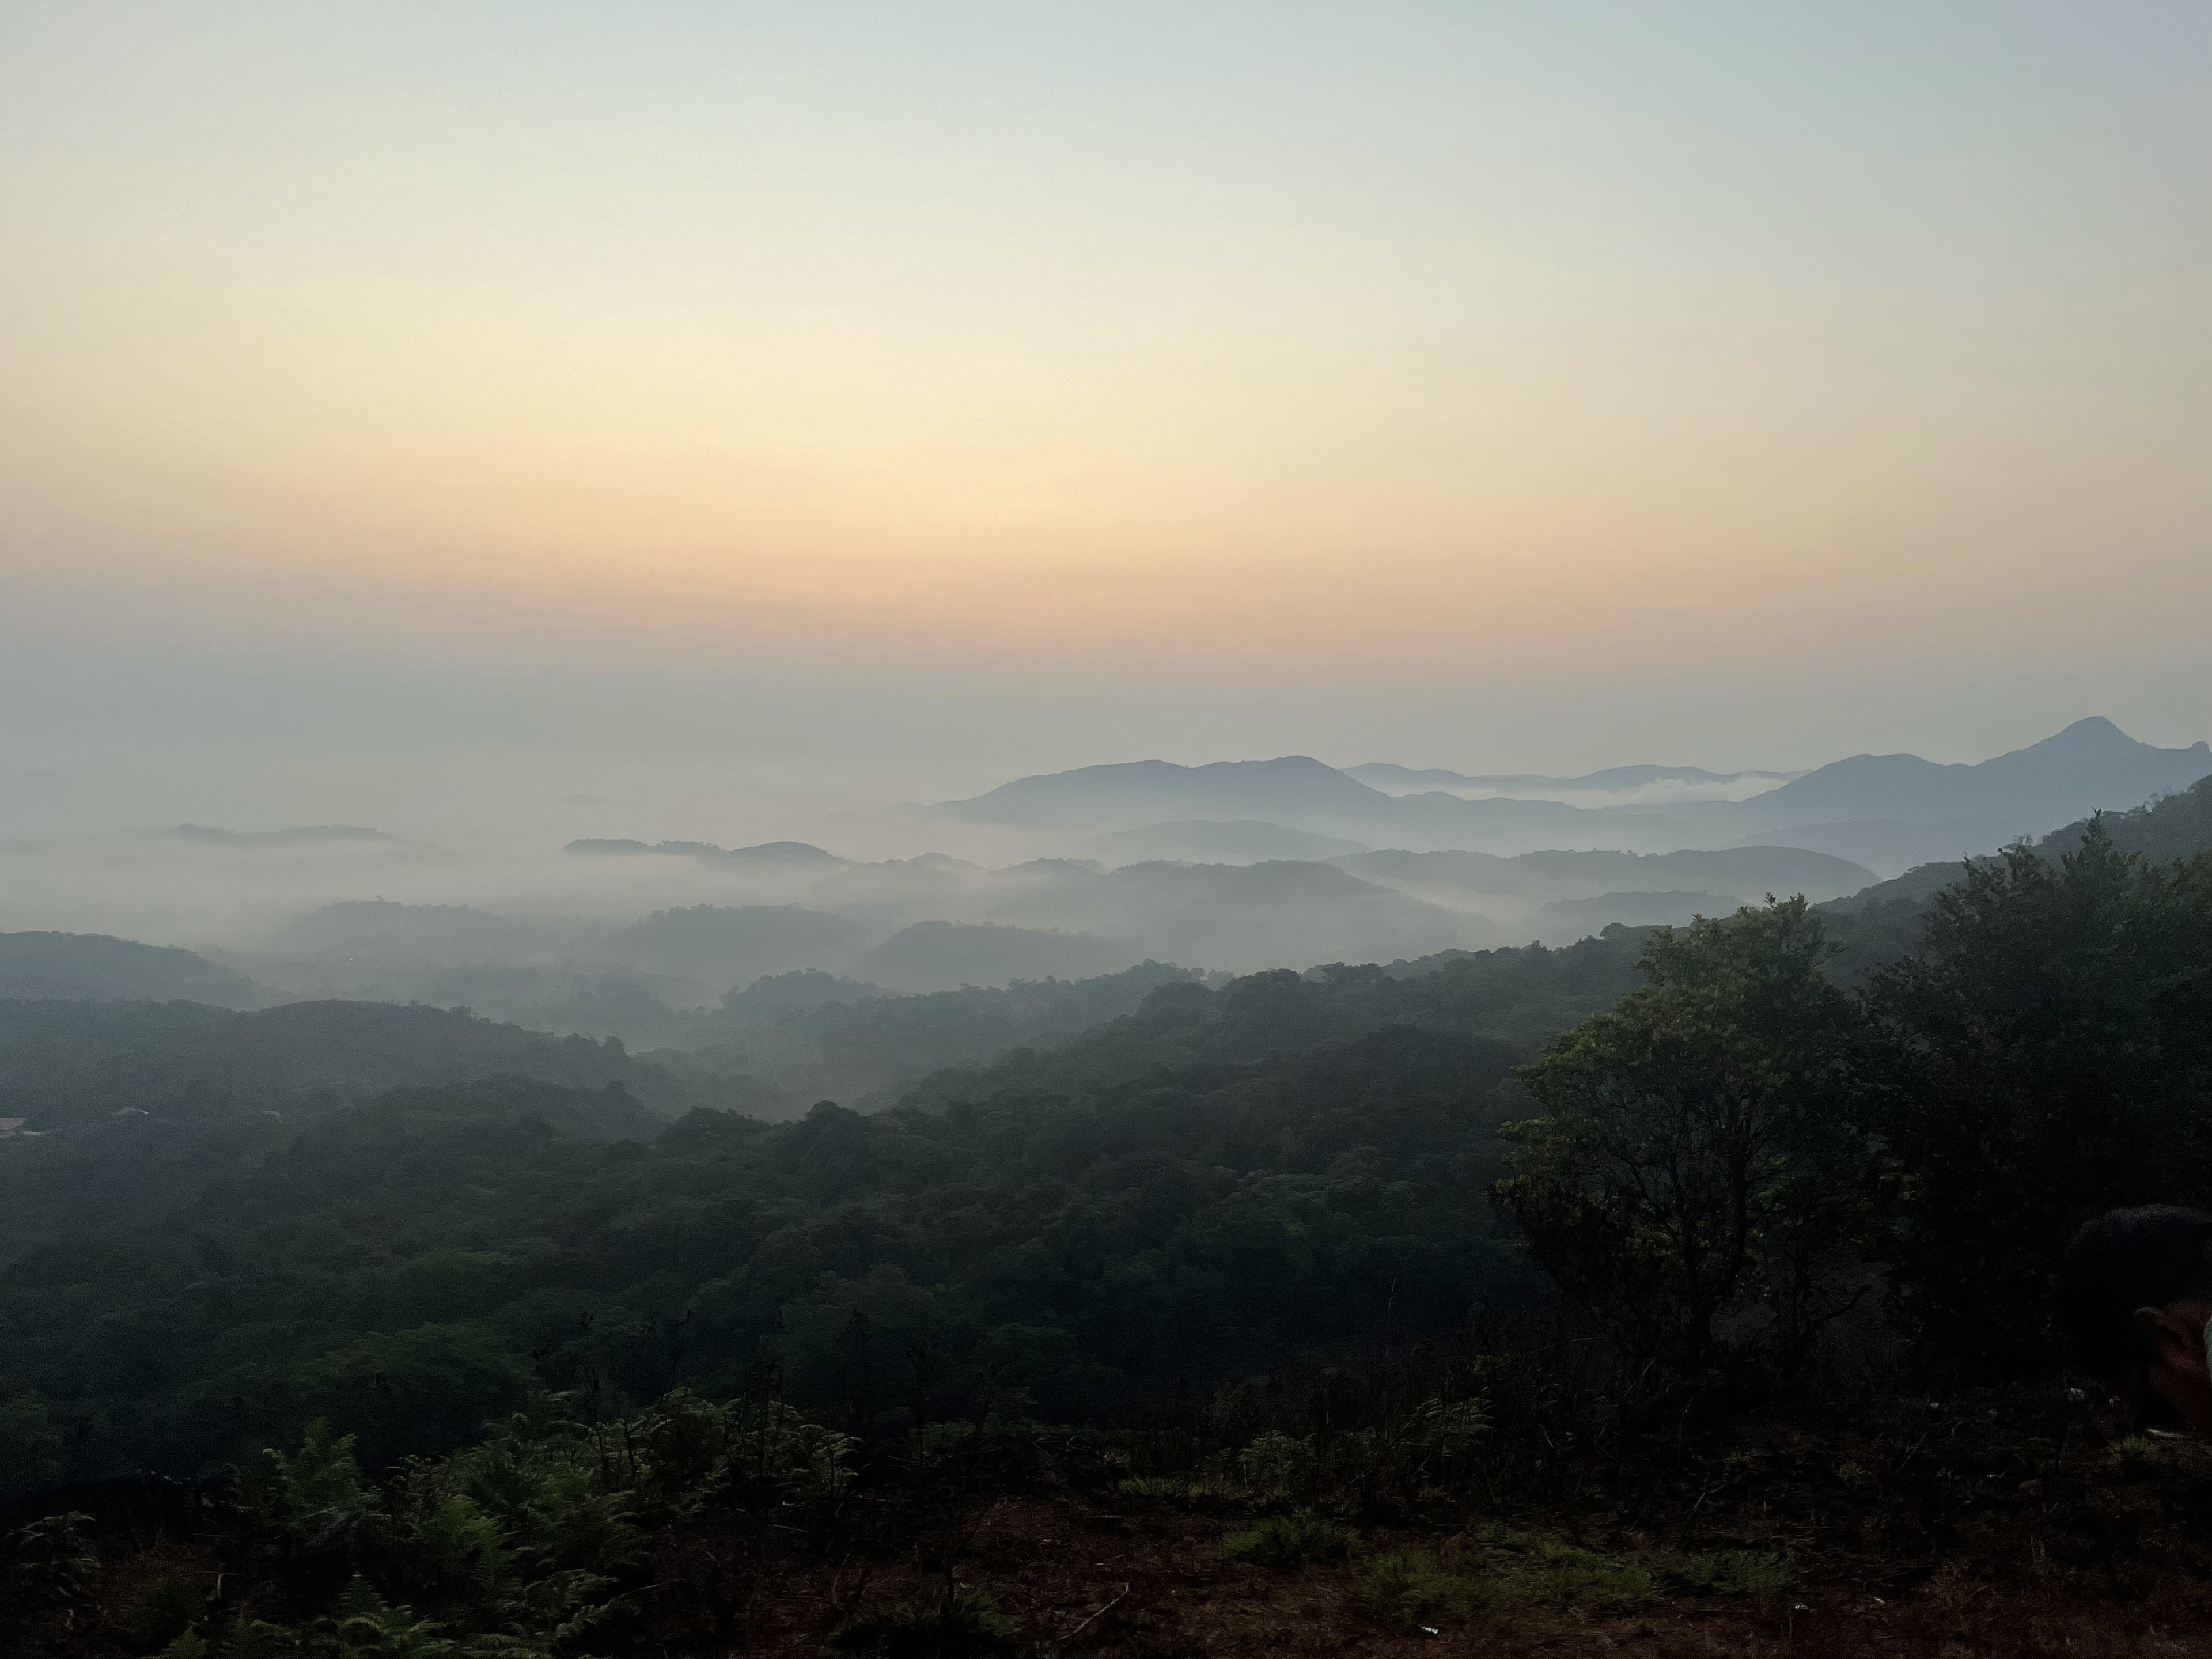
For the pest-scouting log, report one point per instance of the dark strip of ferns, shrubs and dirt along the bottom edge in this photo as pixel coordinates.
(1492, 1499)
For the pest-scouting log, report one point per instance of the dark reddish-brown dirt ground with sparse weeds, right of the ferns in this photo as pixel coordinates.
(2014, 1525)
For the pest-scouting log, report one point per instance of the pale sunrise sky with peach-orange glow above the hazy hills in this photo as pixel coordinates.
(884, 399)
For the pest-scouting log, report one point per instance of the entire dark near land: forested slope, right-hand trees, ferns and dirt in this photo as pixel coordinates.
(1768, 1366)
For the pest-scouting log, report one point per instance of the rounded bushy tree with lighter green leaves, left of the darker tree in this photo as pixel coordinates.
(1698, 1180)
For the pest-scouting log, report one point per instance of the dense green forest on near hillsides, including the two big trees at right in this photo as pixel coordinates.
(1229, 1178)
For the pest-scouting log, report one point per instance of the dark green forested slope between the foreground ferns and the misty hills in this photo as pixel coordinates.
(1207, 1187)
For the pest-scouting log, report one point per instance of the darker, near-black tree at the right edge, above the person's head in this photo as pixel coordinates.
(2052, 1061)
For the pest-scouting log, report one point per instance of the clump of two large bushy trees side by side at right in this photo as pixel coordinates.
(1722, 1147)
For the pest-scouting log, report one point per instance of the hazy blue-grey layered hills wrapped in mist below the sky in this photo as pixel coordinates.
(1233, 866)
